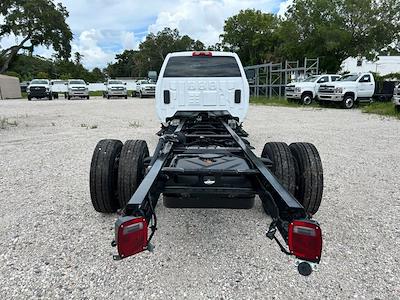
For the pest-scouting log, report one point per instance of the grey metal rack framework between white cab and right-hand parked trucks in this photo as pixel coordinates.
(270, 79)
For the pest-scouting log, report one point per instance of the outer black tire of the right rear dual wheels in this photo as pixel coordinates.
(309, 176)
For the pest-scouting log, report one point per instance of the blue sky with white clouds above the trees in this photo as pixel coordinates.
(103, 28)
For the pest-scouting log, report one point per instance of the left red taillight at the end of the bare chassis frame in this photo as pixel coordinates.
(131, 235)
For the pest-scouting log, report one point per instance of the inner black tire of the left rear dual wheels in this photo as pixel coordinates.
(131, 169)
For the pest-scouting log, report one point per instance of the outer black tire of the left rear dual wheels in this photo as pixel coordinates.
(104, 175)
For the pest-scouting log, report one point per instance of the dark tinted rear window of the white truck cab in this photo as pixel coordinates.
(202, 66)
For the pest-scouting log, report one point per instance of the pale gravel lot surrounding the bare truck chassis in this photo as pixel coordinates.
(54, 245)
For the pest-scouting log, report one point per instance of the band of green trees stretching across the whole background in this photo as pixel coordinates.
(329, 29)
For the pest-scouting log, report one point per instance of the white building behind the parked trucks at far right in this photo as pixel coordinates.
(383, 65)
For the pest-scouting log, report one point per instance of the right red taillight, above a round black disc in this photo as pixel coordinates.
(305, 240)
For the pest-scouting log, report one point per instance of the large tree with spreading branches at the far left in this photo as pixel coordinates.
(37, 22)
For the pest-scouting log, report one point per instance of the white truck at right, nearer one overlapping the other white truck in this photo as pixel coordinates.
(349, 90)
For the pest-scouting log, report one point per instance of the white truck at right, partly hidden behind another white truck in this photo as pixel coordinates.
(305, 91)
